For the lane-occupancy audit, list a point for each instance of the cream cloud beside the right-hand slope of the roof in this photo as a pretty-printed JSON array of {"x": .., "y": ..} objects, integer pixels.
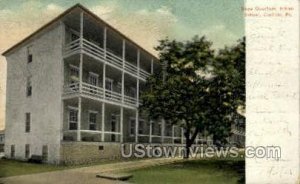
[{"x": 143, "y": 26}]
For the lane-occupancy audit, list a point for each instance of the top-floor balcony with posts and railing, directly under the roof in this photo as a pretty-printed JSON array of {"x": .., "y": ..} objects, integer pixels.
[{"x": 90, "y": 36}]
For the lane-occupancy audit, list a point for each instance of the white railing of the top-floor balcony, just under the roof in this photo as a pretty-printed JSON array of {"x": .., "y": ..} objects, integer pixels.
[{"x": 106, "y": 56}]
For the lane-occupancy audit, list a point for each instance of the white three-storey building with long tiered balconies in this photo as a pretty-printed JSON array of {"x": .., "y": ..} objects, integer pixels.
[{"x": 73, "y": 90}]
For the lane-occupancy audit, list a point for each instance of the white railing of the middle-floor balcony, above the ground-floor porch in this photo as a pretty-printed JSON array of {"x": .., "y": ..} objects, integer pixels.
[{"x": 98, "y": 92}]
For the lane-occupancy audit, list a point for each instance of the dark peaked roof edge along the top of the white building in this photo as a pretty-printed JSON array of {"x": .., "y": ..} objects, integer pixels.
[{"x": 84, "y": 9}]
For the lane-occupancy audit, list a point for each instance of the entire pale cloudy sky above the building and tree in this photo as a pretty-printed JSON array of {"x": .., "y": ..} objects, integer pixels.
[{"x": 144, "y": 21}]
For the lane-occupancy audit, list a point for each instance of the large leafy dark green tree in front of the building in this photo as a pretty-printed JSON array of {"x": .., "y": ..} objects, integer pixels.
[{"x": 193, "y": 89}]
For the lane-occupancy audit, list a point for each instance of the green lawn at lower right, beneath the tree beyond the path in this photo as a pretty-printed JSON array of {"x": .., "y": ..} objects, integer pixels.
[{"x": 215, "y": 171}]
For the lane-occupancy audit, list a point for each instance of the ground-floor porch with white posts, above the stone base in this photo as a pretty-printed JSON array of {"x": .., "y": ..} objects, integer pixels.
[{"x": 87, "y": 120}]
